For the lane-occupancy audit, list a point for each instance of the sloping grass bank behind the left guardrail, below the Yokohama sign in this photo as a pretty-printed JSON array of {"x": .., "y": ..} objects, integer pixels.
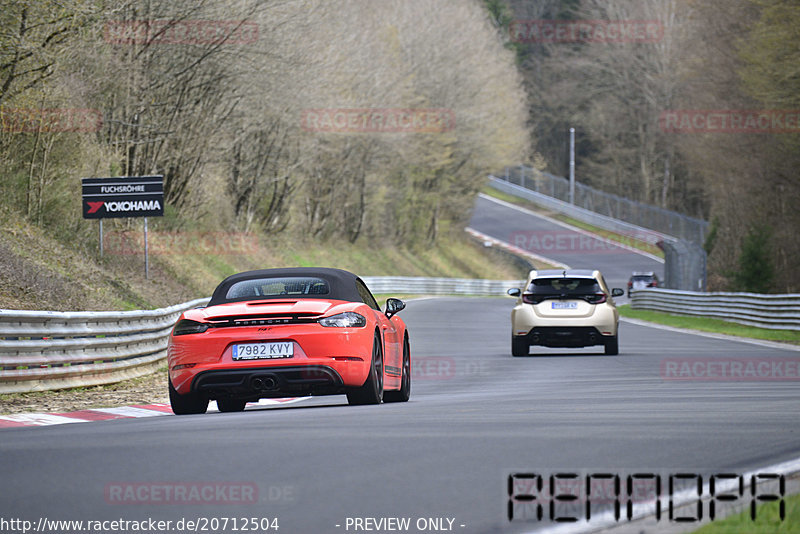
[{"x": 38, "y": 272}]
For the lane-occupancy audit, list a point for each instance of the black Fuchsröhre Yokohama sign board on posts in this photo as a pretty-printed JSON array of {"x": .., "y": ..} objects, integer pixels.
[{"x": 128, "y": 196}]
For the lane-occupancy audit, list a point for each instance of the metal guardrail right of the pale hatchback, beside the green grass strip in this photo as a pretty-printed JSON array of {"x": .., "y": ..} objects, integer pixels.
[{"x": 778, "y": 312}]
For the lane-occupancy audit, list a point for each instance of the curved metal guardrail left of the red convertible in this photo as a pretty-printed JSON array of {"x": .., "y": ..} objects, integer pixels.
[{"x": 44, "y": 350}]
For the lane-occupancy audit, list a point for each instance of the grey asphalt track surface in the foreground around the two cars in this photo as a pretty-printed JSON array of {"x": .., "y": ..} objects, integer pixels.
[{"x": 476, "y": 414}]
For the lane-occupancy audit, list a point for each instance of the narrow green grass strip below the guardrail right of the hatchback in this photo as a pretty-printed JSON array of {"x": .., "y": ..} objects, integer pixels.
[{"x": 706, "y": 324}]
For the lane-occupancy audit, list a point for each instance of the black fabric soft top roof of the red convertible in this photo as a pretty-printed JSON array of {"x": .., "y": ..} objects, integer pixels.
[{"x": 342, "y": 283}]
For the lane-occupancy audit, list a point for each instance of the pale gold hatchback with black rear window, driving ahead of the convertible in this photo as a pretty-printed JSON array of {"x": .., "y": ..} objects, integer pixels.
[{"x": 564, "y": 308}]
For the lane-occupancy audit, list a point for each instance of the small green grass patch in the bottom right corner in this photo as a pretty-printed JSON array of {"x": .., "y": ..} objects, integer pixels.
[{"x": 767, "y": 520}]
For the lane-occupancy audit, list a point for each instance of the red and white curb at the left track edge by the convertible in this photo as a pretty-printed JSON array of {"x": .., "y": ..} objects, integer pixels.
[{"x": 106, "y": 414}]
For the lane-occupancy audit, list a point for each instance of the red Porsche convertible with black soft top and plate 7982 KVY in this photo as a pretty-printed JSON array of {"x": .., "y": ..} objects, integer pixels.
[{"x": 288, "y": 333}]
